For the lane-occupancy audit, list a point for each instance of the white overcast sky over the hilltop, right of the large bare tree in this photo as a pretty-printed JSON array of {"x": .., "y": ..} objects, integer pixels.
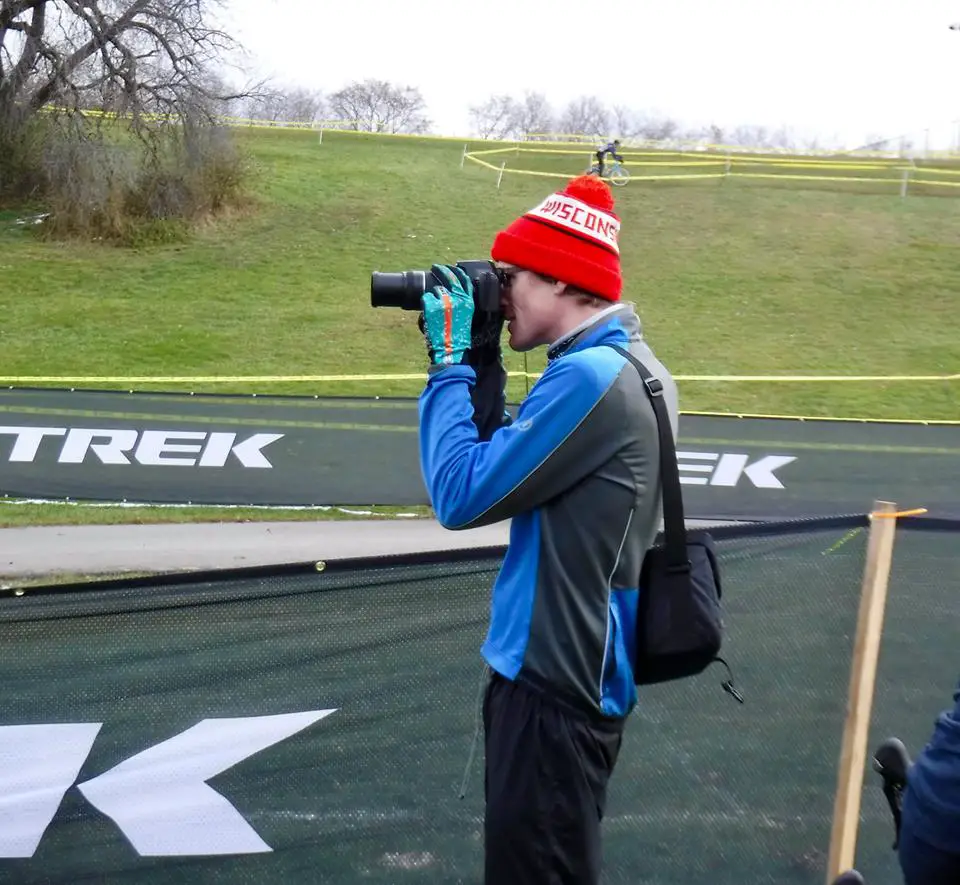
[{"x": 844, "y": 68}]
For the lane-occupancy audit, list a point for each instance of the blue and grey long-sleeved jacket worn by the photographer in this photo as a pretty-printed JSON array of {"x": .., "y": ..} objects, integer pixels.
[{"x": 578, "y": 472}]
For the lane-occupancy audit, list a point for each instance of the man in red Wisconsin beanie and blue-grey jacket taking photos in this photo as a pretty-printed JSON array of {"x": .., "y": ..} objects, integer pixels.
[{"x": 578, "y": 474}]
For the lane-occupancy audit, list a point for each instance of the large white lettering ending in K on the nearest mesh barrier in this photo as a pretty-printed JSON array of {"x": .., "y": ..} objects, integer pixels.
[{"x": 159, "y": 798}]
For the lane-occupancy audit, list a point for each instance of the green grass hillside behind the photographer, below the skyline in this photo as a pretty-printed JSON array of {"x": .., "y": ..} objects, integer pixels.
[{"x": 730, "y": 277}]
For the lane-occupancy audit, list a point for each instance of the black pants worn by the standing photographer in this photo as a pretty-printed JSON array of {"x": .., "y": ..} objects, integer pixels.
[{"x": 547, "y": 769}]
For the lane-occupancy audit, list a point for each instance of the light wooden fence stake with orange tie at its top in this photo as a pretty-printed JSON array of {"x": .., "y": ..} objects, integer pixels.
[{"x": 863, "y": 672}]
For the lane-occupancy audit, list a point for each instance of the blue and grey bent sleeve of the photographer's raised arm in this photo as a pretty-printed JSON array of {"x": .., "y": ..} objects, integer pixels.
[{"x": 551, "y": 446}]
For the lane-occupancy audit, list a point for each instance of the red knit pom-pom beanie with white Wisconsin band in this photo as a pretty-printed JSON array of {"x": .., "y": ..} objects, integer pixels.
[{"x": 571, "y": 236}]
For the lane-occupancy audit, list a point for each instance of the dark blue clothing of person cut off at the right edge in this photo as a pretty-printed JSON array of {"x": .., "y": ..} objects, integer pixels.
[{"x": 931, "y": 804}]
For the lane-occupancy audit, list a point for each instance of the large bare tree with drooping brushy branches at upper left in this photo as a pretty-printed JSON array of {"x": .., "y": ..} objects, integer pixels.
[{"x": 149, "y": 62}]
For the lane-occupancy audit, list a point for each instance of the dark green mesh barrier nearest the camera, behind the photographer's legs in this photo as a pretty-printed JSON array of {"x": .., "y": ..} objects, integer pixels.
[{"x": 312, "y": 722}]
